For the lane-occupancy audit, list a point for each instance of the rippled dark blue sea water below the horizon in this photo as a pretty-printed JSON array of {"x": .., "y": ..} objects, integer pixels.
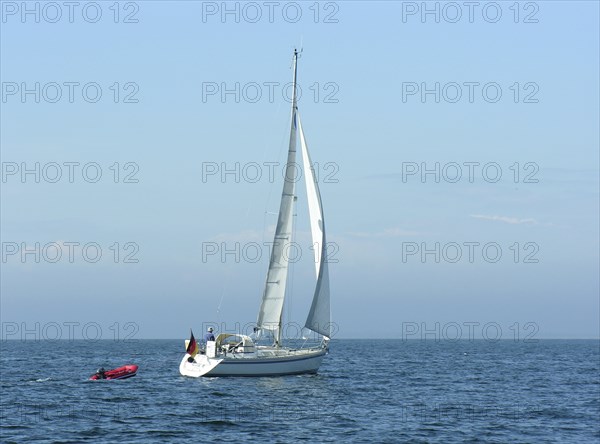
[{"x": 366, "y": 391}]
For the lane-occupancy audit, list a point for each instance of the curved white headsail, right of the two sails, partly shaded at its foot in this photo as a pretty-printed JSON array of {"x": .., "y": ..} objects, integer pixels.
[{"x": 319, "y": 316}]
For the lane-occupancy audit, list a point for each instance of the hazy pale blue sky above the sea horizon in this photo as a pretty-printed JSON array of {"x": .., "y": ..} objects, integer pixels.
[{"x": 360, "y": 125}]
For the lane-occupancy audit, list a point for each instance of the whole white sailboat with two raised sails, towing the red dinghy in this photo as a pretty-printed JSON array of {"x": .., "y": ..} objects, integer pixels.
[{"x": 243, "y": 355}]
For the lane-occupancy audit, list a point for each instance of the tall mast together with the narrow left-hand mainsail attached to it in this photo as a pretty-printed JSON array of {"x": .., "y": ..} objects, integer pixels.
[{"x": 271, "y": 309}]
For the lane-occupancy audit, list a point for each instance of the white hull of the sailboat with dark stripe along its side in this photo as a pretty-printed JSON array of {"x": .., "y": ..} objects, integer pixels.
[{"x": 259, "y": 364}]
